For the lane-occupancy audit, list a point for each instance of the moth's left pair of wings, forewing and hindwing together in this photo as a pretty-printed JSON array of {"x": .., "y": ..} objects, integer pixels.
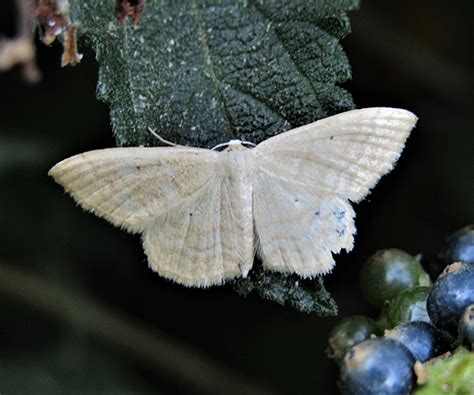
[{"x": 178, "y": 198}]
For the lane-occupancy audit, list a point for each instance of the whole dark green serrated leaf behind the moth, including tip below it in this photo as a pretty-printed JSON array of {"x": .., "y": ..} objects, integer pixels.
[{"x": 203, "y": 72}]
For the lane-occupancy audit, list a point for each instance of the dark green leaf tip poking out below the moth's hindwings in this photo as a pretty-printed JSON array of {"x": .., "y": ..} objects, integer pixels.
[{"x": 308, "y": 296}]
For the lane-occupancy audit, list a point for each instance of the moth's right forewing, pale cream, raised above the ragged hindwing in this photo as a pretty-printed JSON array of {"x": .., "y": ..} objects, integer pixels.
[{"x": 344, "y": 155}]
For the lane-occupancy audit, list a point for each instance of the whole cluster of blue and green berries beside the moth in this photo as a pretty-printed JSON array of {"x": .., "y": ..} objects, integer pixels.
[{"x": 422, "y": 327}]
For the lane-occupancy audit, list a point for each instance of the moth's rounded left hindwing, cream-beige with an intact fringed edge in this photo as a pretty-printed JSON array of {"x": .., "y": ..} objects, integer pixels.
[{"x": 203, "y": 241}]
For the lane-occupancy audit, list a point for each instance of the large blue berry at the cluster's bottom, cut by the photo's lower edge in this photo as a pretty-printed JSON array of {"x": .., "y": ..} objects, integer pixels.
[{"x": 377, "y": 366}]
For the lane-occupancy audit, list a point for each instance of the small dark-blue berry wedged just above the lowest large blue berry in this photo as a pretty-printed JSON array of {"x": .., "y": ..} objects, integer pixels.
[{"x": 422, "y": 339}]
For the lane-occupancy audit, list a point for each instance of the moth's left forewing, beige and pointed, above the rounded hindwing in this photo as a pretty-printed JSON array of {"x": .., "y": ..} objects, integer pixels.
[{"x": 131, "y": 187}]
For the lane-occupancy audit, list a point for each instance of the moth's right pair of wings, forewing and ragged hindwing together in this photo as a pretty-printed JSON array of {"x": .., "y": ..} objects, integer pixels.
[{"x": 305, "y": 178}]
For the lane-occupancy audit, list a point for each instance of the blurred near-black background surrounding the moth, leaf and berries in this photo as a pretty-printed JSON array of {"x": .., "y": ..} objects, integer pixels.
[{"x": 413, "y": 55}]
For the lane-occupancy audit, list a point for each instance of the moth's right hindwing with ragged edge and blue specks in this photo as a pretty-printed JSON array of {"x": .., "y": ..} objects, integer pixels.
[{"x": 298, "y": 226}]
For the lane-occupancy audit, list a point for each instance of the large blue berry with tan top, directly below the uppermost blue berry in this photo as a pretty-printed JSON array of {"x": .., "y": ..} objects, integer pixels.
[{"x": 451, "y": 293}]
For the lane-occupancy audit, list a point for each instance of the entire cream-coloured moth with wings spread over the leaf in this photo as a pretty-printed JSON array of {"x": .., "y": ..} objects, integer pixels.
[{"x": 203, "y": 214}]
